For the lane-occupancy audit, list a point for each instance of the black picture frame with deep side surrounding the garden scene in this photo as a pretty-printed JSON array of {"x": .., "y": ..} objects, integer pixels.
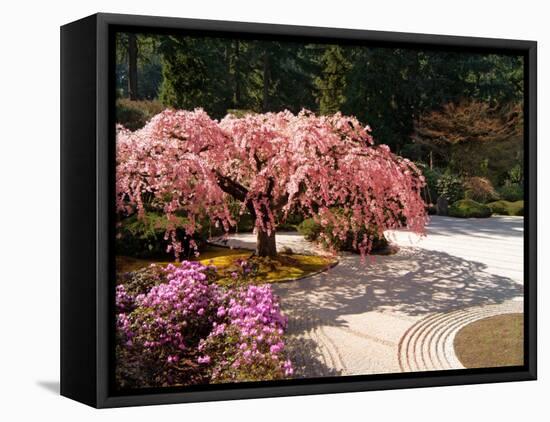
[{"x": 87, "y": 172}]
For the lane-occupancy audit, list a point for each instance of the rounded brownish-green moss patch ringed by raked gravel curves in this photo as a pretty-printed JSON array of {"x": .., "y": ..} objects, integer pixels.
[{"x": 491, "y": 342}]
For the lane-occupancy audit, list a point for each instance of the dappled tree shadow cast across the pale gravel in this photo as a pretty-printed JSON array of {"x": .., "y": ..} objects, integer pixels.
[{"x": 412, "y": 283}]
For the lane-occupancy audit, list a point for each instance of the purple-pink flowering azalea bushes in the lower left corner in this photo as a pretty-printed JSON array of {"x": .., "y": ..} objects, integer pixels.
[{"x": 189, "y": 330}]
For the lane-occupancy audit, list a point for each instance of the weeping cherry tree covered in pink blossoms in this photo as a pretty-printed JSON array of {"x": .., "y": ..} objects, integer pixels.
[{"x": 273, "y": 164}]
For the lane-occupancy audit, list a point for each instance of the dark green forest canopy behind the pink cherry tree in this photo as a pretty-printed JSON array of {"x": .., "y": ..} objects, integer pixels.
[{"x": 386, "y": 87}]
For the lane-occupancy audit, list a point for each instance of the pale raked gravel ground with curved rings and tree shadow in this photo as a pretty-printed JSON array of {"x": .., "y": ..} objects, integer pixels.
[{"x": 401, "y": 312}]
